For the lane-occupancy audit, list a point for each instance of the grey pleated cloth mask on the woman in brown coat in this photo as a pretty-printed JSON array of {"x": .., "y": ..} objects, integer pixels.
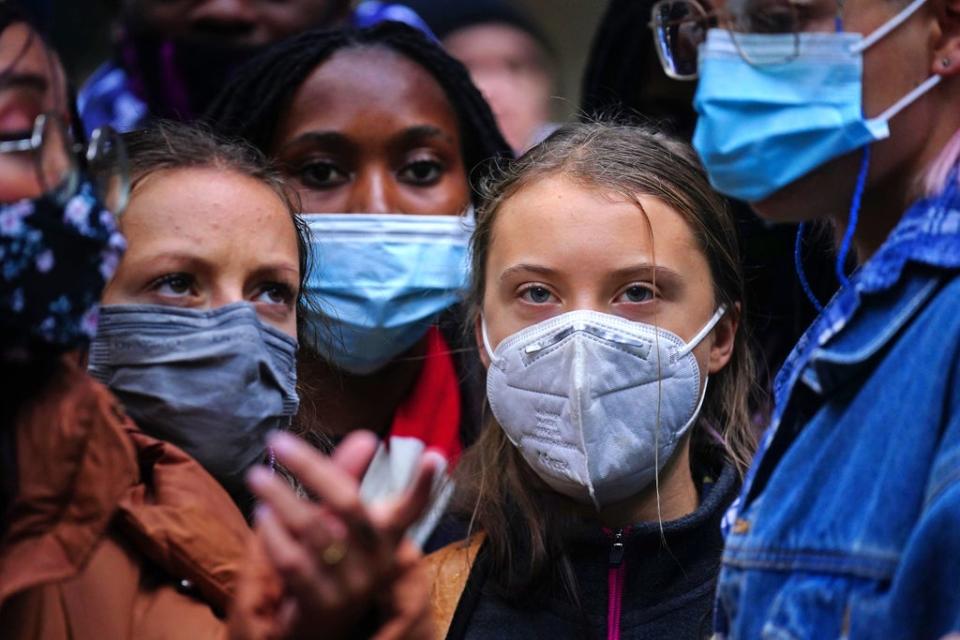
[{"x": 212, "y": 382}]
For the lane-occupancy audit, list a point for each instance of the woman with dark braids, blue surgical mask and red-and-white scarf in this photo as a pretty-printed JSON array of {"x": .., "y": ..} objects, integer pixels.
[{"x": 381, "y": 133}]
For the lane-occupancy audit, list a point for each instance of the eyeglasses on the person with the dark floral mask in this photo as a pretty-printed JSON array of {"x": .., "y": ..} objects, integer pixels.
[{"x": 58, "y": 158}]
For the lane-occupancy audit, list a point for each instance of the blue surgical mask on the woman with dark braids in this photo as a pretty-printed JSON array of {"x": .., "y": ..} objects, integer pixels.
[{"x": 380, "y": 281}]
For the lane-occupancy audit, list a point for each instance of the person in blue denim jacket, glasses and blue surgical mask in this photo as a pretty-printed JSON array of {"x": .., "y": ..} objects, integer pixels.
[{"x": 845, "y": 112}]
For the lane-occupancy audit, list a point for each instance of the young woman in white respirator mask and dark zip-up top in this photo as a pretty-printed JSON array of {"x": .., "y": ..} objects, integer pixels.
[{"x": 607, "y": 300}]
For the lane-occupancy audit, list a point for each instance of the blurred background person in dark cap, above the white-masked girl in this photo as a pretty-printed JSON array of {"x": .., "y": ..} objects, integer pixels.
[{"x": 509, "y": 58}]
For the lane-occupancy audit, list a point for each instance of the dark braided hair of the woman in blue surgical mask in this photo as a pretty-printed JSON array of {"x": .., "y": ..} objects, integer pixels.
[{"x": 252, "y": 104}]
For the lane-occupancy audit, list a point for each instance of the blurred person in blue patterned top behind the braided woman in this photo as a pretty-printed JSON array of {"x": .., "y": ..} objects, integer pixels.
[{"x": 172, "y": 58}]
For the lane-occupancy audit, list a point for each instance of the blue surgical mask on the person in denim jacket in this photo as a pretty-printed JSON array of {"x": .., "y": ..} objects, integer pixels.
[{"x": 762, "y": 127}]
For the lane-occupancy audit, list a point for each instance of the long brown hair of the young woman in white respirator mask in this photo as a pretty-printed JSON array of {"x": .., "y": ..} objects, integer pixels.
[{"x": 523, "y": 521}]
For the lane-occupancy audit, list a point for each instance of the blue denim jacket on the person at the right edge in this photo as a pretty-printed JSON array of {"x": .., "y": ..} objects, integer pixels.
[{"x": 849, "y": 521}]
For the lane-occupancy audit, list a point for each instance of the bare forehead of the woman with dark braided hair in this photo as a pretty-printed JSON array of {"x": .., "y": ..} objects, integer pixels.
[{"x": 368, "y": 86}]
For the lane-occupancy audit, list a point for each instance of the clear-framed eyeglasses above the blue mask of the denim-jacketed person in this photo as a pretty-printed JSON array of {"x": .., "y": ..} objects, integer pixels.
[{"x": 680, "y": 27}]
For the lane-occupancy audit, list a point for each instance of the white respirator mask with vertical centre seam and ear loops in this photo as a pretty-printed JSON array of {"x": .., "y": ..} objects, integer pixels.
[{"x": 592, "y": 407}]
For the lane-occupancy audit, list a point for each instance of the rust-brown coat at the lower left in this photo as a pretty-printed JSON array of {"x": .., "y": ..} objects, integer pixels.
[{"x": 113, "y": 534}]
